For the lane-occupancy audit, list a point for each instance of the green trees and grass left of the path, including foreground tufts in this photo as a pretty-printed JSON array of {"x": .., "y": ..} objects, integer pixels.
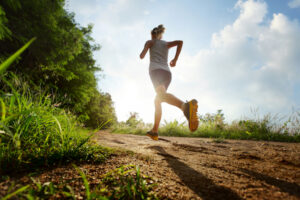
[{"x": 50, "y": 105}]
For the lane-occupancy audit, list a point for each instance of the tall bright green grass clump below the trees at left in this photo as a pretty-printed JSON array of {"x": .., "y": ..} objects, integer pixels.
[{"x": 35, "y": 133}]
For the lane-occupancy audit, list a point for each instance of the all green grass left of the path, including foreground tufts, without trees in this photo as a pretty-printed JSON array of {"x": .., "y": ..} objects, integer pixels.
[{"x": 35, "y": 133}]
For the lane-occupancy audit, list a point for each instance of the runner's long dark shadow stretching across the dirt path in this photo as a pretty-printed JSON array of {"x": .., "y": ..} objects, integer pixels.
[{"x": 200, "y": 184}]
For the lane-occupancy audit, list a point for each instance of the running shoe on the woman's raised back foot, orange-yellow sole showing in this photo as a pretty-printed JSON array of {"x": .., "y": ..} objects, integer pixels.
[{"x": 190, "y": 112}]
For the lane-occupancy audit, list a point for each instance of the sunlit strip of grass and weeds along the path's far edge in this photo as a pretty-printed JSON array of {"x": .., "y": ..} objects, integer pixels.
[{"x": 268, "y": 128}]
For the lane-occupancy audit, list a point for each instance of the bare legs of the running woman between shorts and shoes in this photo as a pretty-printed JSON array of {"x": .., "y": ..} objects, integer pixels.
[{"x": 163, "y": 96}]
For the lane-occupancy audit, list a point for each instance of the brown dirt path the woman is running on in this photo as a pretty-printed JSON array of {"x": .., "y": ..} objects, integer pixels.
[{"x": 197, "y": 168}]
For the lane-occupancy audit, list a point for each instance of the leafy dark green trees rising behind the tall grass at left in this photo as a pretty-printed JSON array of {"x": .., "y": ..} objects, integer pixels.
[{"x": 60, "y": 61}]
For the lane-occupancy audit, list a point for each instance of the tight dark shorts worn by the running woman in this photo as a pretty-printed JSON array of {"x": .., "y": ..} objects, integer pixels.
[{"x": 160, "y": 77}]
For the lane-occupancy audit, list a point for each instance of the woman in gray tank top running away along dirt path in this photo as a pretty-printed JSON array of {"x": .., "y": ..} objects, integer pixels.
[{"x": 161, "y": 76}]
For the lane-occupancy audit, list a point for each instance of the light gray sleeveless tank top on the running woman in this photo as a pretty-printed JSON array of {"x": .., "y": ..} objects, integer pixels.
[{"x": 159, "y": 56}]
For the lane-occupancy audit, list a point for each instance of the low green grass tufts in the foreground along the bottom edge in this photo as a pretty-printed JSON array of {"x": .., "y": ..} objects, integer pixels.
[{"x": 125, "y": 182}]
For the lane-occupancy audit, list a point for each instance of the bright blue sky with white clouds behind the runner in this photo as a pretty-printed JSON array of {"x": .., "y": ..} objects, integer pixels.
[{"x": 238, "y": 55}]
